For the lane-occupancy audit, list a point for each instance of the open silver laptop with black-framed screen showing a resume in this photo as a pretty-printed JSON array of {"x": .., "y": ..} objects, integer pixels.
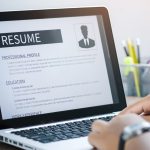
[{"x": 59, "y": 73}]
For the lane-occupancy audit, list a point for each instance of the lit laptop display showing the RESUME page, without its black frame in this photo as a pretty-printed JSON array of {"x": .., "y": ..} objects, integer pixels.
[{"x": 53, "y": 65}]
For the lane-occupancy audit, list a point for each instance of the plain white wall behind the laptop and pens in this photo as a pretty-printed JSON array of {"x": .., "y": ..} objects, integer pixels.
[{"x": 129, "y": 18}]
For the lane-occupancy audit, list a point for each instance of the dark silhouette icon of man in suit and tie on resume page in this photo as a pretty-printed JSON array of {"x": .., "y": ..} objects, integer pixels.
[{"x": 86, "y": 42}]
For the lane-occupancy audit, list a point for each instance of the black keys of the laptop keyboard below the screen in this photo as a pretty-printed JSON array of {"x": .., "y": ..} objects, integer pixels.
[{"x": 59, "y": 132}]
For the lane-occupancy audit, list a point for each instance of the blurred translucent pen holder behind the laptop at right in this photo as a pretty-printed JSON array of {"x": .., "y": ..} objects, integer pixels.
[{"x": 136, "y": 79}]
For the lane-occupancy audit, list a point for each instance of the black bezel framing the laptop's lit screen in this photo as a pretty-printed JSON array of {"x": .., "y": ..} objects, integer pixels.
[{"x": 79, "y": 113}]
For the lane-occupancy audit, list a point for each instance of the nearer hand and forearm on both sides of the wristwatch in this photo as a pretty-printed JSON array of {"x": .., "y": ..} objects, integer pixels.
[{"x": 105, "y": 136}]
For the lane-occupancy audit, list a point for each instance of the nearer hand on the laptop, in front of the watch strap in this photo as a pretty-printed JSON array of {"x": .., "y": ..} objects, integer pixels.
[{"x": 105, "y": 135}]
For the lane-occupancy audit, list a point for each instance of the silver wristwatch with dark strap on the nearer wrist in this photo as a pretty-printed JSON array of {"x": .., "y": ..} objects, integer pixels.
[{"x": 132, "y": 131}]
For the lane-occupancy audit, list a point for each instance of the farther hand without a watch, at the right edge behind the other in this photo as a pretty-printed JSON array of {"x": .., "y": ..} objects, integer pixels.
[{"x": 141, "y": 107}]
